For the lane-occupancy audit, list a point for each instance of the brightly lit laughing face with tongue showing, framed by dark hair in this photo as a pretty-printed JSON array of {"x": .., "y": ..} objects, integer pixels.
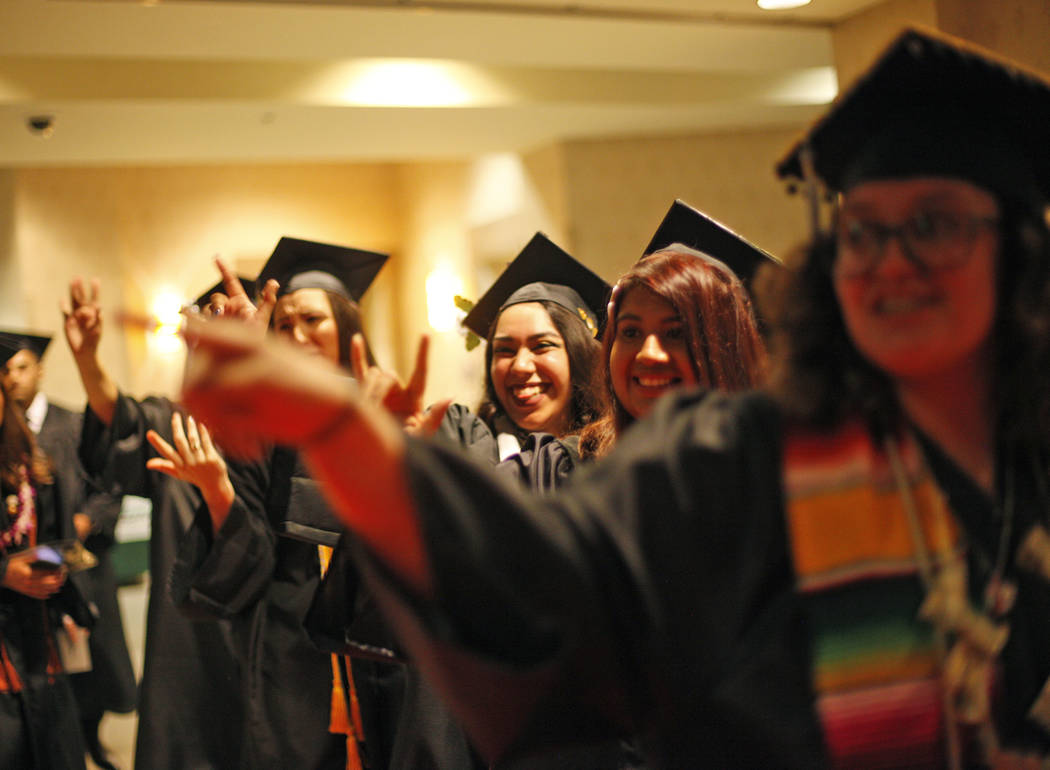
[{"x": 531, "y": 369}]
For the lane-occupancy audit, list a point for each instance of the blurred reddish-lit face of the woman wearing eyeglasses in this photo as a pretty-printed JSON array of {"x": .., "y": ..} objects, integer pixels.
[{"x": 909, "y": 320}]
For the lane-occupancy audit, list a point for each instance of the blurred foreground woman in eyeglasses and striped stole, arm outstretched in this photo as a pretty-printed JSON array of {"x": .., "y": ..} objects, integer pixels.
[{"x": 856, "y": 571}]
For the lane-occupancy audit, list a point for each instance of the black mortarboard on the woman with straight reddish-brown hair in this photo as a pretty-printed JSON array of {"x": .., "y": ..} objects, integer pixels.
[{"x": 690, "y": 227}]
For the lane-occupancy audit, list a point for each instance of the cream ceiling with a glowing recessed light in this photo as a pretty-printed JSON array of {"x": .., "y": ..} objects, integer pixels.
[{"x": 198, "y": 81}]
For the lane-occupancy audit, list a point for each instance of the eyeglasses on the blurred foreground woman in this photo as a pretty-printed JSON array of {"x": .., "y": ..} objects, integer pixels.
[{"x": 932, "y": 240}]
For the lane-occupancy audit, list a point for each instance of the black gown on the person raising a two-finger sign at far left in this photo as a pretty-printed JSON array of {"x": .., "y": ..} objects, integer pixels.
[{"x": 190, "y": 700}]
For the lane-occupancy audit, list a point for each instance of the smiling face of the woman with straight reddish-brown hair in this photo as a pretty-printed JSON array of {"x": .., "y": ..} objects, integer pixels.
[{"x": 649, "y": 355}]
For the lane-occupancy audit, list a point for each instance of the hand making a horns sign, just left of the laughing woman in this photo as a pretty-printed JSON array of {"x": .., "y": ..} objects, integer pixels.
[{"x": 404, "y": 402}]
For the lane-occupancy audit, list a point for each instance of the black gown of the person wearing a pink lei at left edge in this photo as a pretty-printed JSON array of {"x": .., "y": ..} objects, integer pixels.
[{"x": 39, "y": 726}]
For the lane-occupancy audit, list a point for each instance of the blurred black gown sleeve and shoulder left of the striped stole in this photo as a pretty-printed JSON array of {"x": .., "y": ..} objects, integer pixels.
[{"x": 657, "y": 599}]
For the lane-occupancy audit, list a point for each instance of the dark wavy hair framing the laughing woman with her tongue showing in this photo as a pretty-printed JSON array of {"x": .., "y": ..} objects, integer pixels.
[{"x": 587, "y": 402}]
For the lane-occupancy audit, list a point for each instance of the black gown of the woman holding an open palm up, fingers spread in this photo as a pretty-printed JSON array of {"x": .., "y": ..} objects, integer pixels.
[{"x": 264, "y": 584}]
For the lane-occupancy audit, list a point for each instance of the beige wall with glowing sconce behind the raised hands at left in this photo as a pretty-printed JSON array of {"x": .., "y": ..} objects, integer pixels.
[{"x": 142, "y": 231}]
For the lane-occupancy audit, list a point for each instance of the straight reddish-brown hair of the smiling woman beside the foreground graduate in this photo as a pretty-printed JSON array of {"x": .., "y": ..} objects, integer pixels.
[{"x": 726, "y": 349}]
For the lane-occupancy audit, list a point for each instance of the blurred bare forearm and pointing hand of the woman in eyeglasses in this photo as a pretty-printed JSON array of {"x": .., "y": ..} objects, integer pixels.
[{"x": 254, "y": 390}]
